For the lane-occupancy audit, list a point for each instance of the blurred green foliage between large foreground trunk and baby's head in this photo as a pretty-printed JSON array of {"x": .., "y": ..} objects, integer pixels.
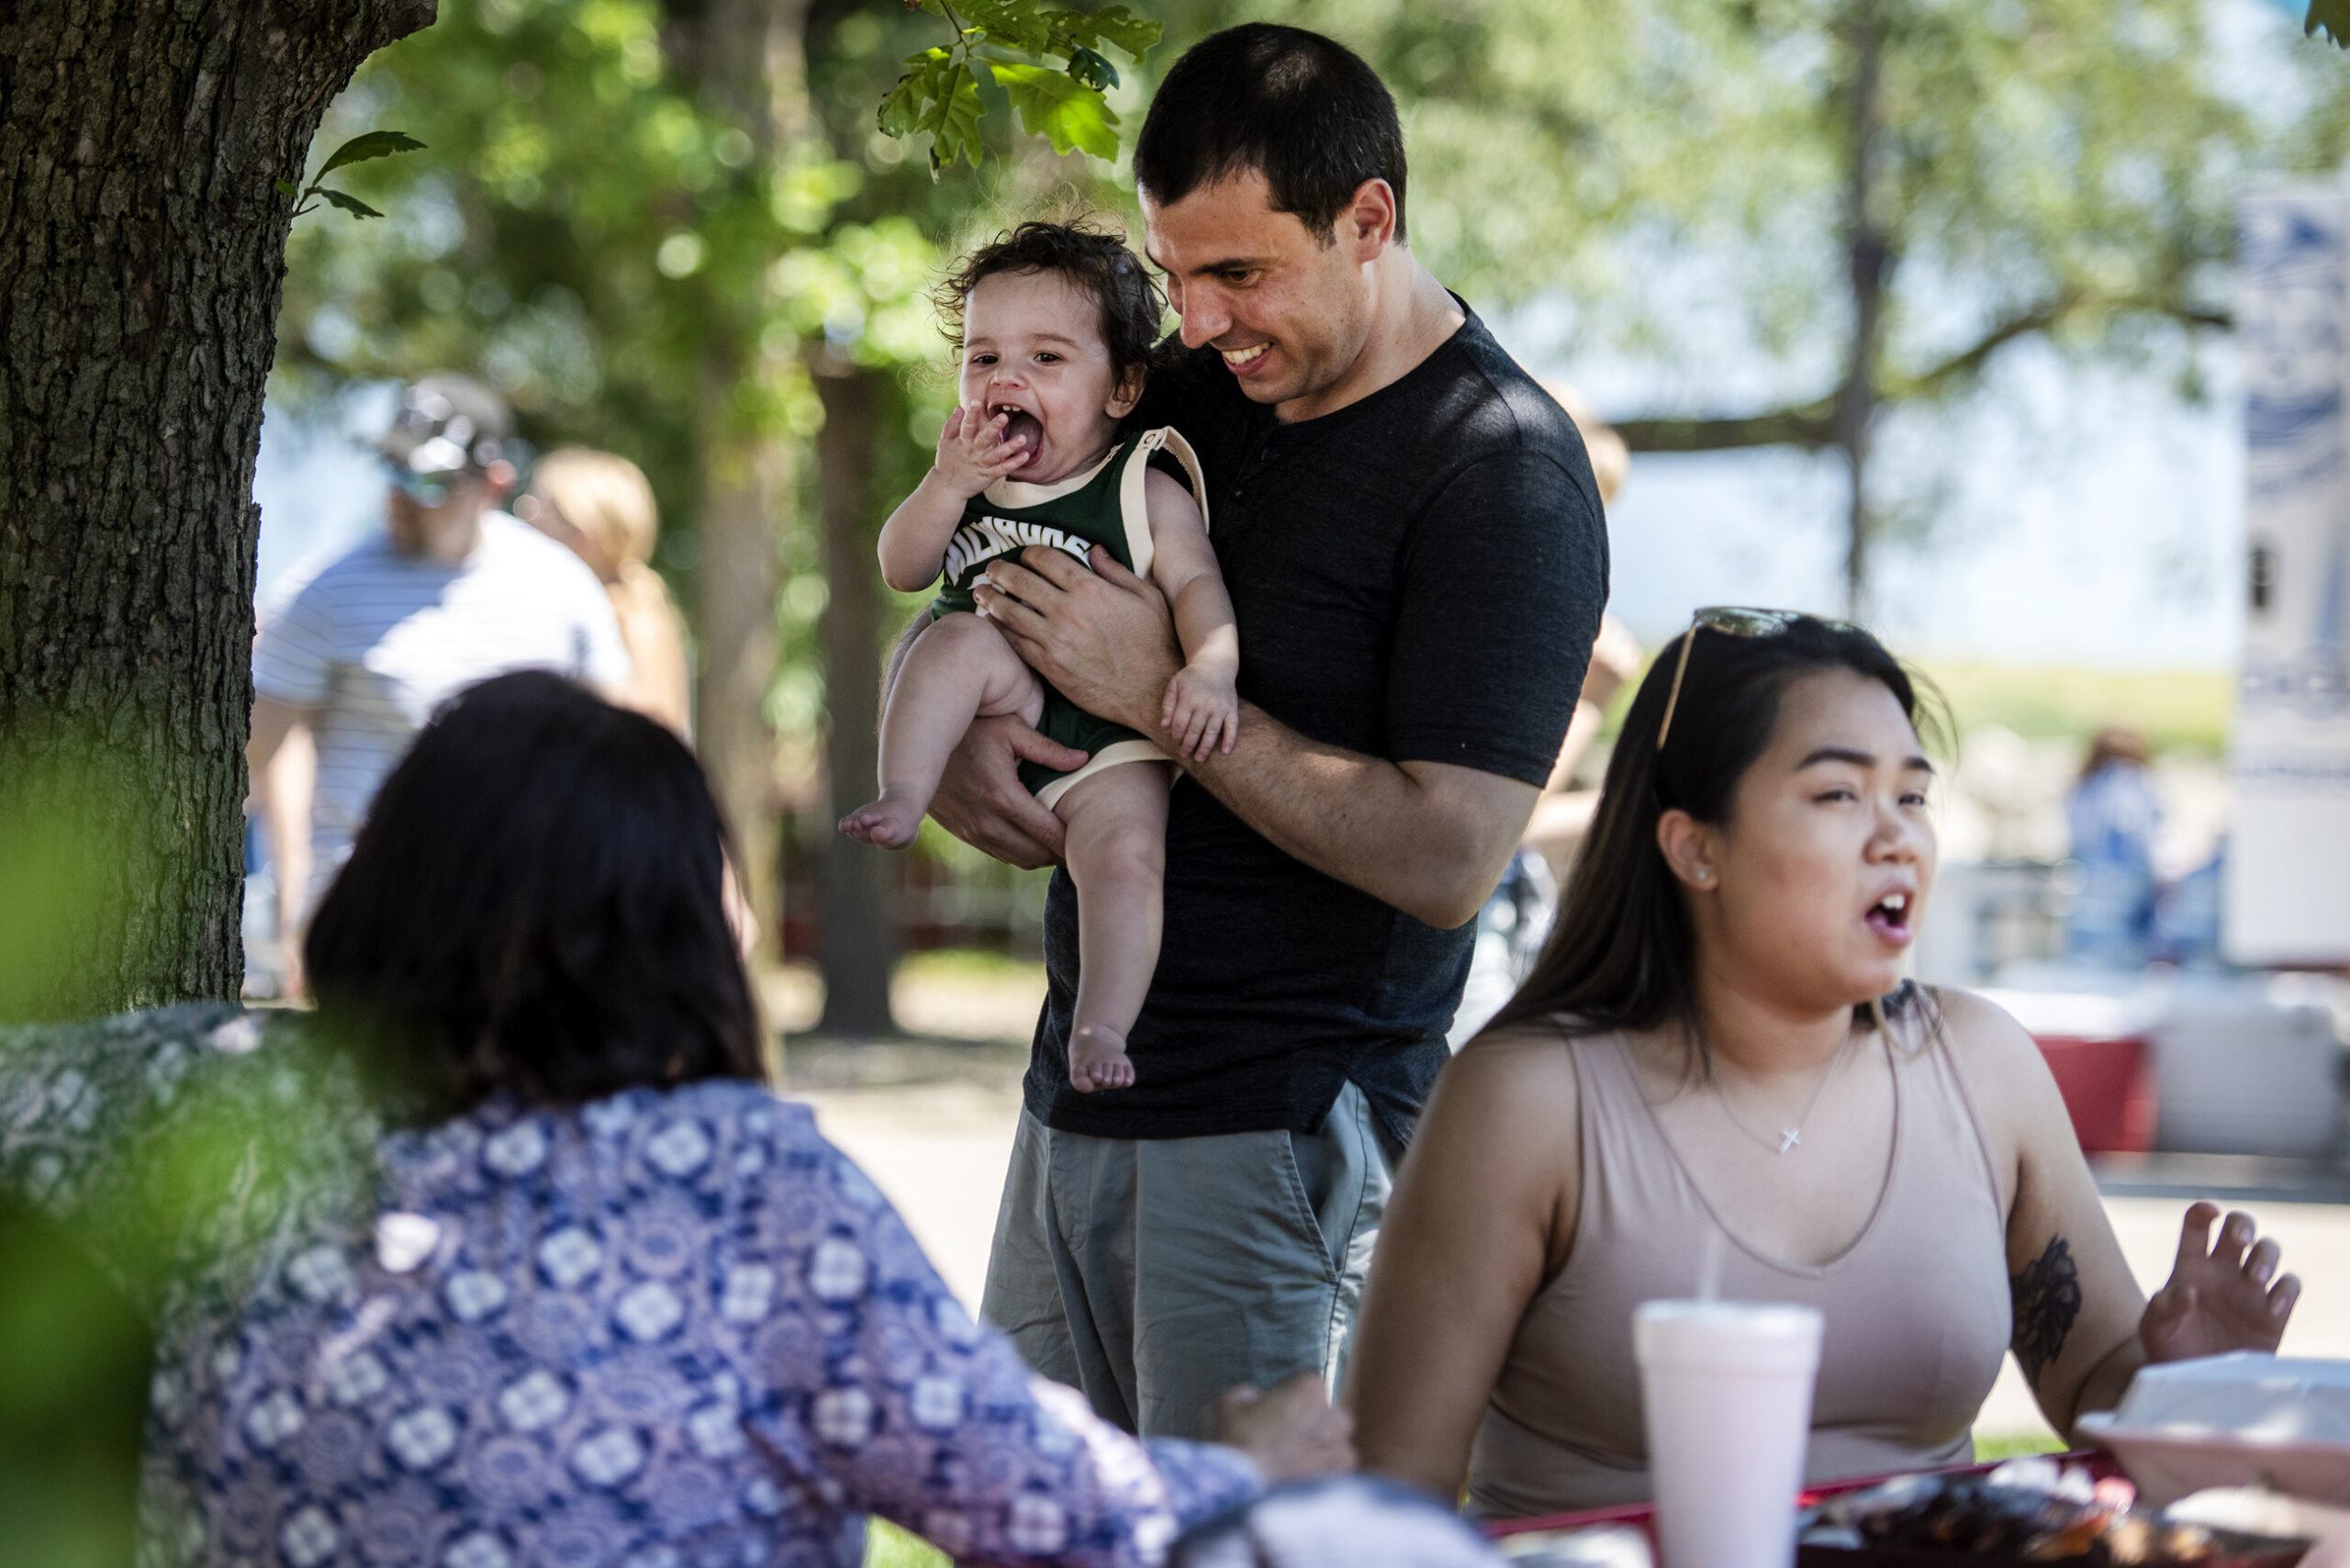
[{"x": 598, "y": 236}]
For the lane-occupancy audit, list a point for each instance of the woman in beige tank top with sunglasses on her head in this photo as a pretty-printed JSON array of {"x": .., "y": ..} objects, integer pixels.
[{"x": 1719, "y": 1040}]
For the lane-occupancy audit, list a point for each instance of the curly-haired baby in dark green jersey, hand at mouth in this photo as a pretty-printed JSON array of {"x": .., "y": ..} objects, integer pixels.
[{"x": 1056, "y": 328}]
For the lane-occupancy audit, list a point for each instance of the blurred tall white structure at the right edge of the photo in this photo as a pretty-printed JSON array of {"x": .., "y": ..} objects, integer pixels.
[{"x": 2288, "y": 887}]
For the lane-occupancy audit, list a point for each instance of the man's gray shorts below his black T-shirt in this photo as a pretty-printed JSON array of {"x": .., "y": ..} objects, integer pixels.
[{"x": 1157, "y": 1273}]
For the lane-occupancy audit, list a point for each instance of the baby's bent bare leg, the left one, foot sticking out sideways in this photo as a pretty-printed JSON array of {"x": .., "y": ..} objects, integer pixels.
[{"x": 958, "y": 671}]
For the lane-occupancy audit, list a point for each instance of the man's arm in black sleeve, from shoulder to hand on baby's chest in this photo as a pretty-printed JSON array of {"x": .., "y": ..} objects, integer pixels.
[{"x": 1503, "y": 577}]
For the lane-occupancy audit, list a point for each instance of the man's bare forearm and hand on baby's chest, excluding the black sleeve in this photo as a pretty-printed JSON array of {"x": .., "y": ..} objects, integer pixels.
[{"x": 1425, "y": 838}]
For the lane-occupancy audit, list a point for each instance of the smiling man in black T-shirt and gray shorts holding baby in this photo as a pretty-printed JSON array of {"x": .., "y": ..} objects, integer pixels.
[{"x": 1418, "y": 563}]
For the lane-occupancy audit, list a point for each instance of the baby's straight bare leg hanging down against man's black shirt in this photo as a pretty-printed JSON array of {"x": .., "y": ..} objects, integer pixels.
[{"x": 1117, "y": 855}]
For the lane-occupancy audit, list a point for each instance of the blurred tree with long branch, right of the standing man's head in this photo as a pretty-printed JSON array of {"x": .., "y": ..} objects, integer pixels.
[{"x": 1815, "y": 220}]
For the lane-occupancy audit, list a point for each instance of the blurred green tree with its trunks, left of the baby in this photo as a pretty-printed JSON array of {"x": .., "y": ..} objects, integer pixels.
[{"x": 678, "y": 232}]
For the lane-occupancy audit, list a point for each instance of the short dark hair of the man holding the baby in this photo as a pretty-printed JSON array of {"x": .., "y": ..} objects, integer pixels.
[{"x": 1296, "y": 107}]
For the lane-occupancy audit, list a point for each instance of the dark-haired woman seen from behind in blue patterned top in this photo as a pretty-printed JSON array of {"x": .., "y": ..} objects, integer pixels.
[{"x": 506, "y": 1257}]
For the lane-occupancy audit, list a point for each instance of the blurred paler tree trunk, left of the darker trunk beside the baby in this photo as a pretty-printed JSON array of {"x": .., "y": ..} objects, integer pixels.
[{"x": 748, "y": 58}]
